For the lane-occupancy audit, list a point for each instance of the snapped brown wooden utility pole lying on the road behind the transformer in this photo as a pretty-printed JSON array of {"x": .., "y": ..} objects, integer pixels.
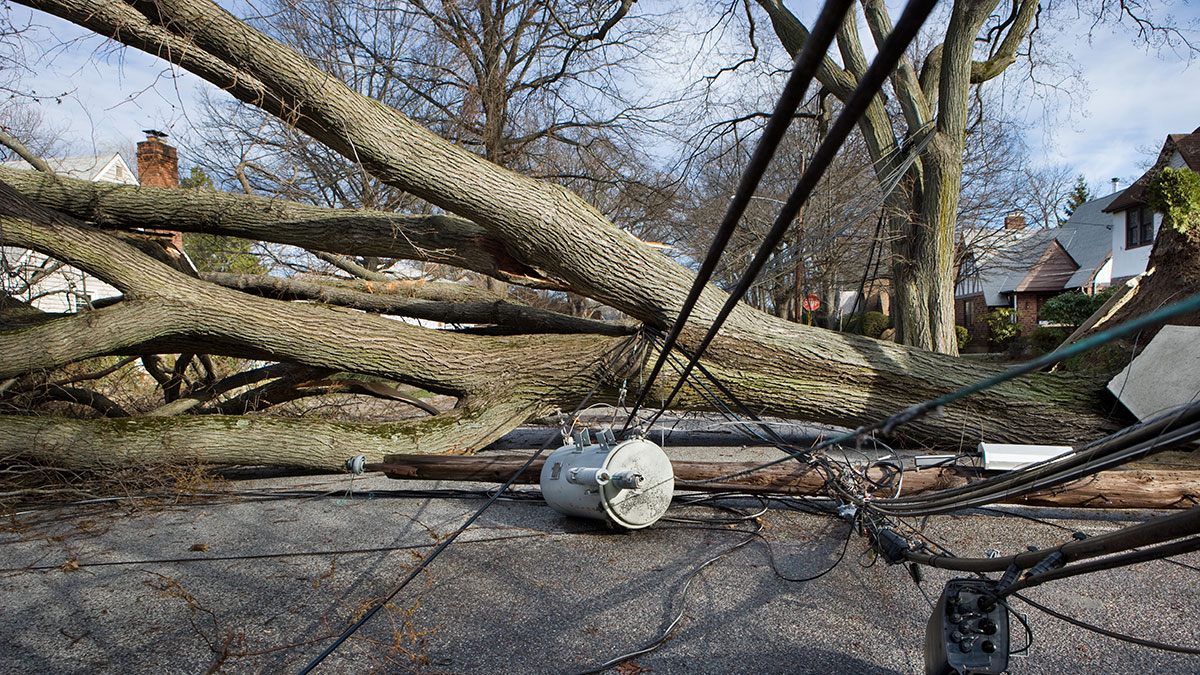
[{"x": 1108, "y": 489}]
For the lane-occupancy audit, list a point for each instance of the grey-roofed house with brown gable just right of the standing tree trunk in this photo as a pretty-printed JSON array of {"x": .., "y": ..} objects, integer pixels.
[{"x": 1022, "y": 268}]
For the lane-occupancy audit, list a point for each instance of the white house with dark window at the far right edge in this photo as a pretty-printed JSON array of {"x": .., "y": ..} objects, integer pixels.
[{"x": 1135, "y": 225}]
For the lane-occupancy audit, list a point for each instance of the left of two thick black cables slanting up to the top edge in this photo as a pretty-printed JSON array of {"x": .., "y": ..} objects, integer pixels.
[{"x": 805, "y": 69}]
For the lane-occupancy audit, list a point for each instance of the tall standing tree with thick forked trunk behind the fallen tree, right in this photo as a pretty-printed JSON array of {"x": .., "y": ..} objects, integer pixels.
[{"x": 981, "y": 40}]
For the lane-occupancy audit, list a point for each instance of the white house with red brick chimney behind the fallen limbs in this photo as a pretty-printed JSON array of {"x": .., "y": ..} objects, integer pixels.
[{"x": 52, "y": 286}]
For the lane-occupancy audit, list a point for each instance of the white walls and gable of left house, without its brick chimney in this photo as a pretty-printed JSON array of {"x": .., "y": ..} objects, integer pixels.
[{"x": 44, "y": 283}]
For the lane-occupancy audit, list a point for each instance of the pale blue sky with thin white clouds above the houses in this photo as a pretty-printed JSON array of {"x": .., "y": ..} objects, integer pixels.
[{"x": 1130, "y": 99}]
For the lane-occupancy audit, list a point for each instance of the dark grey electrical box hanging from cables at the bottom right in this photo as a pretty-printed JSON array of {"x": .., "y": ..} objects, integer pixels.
[{"x": 968, "y": 632}]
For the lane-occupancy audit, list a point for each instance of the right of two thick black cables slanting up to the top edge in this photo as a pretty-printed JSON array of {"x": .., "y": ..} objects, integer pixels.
[{"x": 871, "y": 85}]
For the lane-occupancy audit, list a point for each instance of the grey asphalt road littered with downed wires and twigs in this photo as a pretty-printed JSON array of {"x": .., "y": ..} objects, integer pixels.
[{"x": 262, "y": 581}]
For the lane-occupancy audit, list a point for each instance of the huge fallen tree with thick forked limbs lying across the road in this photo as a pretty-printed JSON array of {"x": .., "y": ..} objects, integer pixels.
[{"x": 525, "y": 232}]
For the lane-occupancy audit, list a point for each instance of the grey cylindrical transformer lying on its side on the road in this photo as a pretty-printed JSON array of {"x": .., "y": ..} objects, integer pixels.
[{"x": 628, "y": 485}]
